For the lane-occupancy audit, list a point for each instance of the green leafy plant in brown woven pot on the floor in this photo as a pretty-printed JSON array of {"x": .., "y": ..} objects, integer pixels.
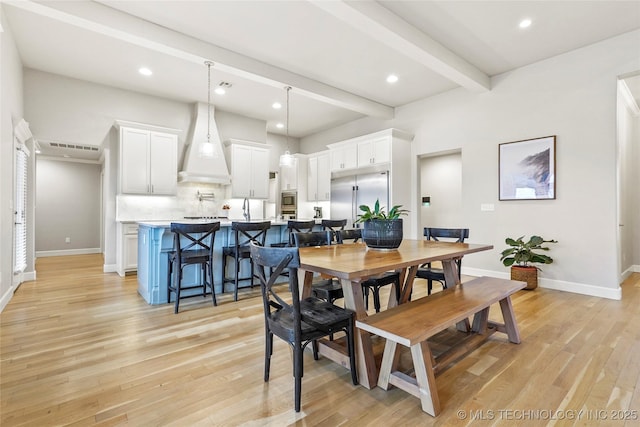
[{"x": 520, "y": 255}]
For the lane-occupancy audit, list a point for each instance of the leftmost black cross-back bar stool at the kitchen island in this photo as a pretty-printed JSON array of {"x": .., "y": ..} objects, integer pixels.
[{"x": 192, "y": 245}]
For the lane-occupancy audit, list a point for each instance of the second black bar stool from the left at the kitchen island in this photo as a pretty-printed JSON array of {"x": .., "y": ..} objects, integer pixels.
[{"x": 244, "y": 234}]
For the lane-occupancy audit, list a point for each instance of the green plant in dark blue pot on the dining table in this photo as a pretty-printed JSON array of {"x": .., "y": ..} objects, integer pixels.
[{"x": 381, "y": 230}]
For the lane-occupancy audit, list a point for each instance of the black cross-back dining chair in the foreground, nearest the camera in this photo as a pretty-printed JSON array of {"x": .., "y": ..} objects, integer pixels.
[{"x": 298, "y": 322}]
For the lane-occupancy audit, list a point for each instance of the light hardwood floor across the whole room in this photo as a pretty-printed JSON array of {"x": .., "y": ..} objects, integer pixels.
[{"x": 79, "y": 347}]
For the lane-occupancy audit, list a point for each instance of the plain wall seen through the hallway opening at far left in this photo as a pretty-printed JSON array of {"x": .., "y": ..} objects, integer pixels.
[{"x": 67, "y": 205}]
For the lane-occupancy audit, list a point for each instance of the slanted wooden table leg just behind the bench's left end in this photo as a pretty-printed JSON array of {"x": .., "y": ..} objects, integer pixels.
[{"x": 365, "y": 362}]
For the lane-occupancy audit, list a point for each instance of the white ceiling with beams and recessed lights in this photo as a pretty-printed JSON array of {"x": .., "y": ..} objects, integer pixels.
[{"x": 336, "y": 55}]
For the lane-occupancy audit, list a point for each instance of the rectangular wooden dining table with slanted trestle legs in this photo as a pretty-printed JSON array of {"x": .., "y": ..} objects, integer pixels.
[{"x": 354, "y": 263}]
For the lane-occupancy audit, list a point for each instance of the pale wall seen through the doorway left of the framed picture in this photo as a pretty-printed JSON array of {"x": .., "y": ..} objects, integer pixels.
[{"x": 441, "y": 179}]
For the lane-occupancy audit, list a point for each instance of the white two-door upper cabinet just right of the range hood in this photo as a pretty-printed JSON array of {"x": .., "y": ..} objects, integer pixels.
[{"x": 249, "y": 169}]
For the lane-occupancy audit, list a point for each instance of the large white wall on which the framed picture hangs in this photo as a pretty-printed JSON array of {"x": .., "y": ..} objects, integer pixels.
[{"x": 572, "y": 96}]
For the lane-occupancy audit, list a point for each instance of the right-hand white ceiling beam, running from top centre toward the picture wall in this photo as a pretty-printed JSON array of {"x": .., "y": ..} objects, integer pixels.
[{"x": 380, "y": 23}]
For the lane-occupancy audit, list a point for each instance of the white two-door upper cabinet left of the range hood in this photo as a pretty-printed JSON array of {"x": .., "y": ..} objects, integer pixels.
[{"x": 148, "y": 159}]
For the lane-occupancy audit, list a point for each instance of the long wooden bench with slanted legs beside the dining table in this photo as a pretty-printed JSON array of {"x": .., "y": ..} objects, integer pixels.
[{"x": 412, "y": 323}]
